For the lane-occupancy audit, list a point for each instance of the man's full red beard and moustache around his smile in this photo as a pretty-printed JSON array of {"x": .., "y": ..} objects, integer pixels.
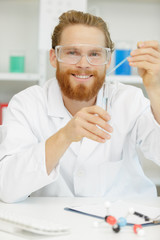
[{"x": 80, "y": 92}]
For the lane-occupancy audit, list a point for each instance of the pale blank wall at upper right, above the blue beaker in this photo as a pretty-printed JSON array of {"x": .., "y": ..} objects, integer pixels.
[{"x": 137, "y": 20}]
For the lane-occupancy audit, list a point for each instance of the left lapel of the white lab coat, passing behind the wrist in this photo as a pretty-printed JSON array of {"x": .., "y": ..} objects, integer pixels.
[{"x": 57, "y": 110}]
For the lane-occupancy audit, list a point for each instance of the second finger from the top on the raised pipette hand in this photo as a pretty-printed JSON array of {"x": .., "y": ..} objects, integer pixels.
[{"x": 144, "y": 51}]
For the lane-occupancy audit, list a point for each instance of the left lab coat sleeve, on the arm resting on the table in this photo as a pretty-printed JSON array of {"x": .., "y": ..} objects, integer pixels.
[{"x": 22, "y": 157}]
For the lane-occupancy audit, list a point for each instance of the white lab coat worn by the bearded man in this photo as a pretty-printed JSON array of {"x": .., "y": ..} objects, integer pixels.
[{"x": 87, "y": 168}]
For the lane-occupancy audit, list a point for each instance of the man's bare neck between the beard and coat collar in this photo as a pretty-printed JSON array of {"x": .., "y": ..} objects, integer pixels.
[{"x": 73, "y": 106}]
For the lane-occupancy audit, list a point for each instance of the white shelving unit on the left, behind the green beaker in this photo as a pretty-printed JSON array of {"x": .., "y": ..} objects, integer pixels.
[{"x": 19, "y": 31}]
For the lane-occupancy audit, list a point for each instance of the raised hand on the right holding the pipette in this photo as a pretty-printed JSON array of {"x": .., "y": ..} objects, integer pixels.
[{"x": 147, "y": 59}]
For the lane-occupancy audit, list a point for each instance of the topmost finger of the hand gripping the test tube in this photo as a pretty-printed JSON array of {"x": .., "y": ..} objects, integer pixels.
[{"x": 97, "y": 110}]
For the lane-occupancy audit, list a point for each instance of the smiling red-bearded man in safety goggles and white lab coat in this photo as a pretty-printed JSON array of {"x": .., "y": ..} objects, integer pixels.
[{"x": 58, "y": 140}]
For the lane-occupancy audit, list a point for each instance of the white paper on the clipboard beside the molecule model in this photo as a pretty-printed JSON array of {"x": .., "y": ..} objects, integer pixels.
[{"x": 120, "y": 209}]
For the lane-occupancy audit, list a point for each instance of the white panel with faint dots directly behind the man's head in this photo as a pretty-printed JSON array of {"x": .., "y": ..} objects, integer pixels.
[{"x": 50, "y": 10}]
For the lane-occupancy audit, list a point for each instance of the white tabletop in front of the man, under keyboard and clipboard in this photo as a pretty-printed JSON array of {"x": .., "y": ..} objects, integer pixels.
[{"x": 81, "y": 225}]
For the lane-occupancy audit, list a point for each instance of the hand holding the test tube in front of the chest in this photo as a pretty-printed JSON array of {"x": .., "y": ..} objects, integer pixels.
[{"x": 86, "y": 123}]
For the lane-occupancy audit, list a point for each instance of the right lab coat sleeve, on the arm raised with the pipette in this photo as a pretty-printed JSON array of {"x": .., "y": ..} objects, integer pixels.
[{"x": 147, "y": 133}]
